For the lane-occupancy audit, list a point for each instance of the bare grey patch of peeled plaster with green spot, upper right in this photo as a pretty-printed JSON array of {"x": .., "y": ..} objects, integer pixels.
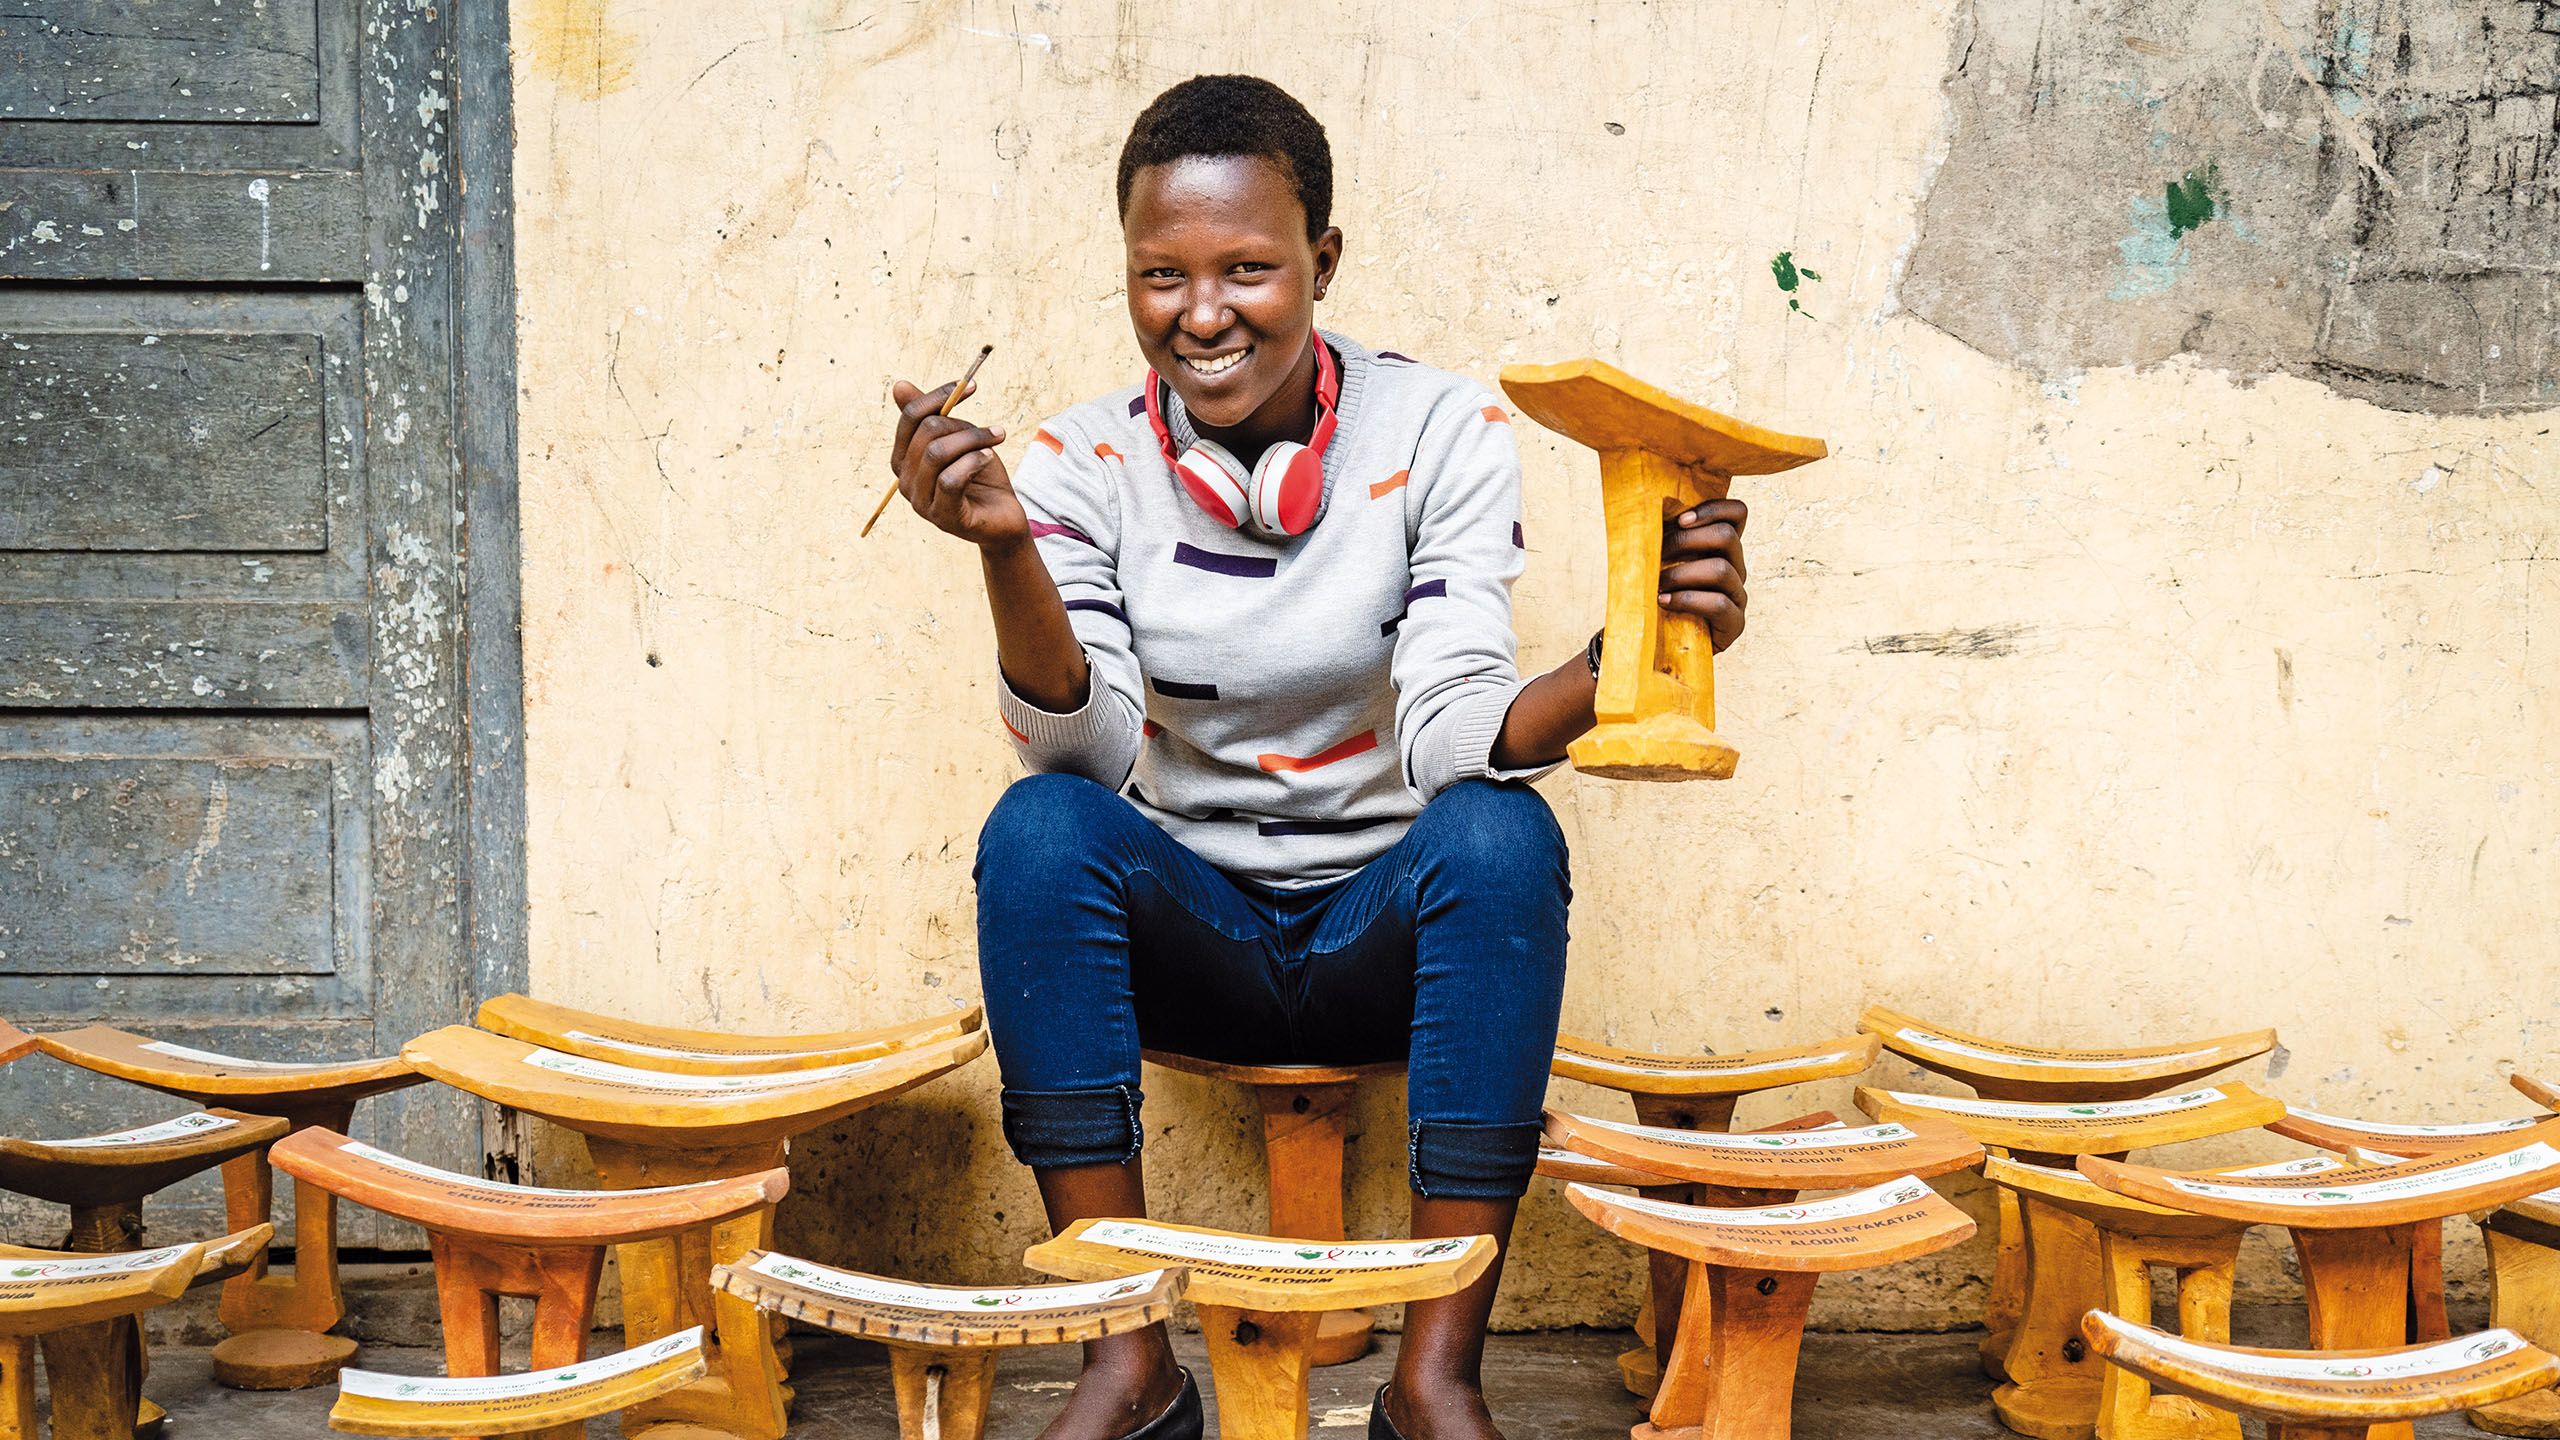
[{"x": 2354, "y": 191}]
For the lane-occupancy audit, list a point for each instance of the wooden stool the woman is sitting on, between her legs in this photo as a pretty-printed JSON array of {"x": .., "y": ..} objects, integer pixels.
[{"x": 1307, "y": 1113}]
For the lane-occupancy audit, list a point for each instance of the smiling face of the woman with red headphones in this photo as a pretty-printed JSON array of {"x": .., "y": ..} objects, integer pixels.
[{"x": 1222, "y": 293}]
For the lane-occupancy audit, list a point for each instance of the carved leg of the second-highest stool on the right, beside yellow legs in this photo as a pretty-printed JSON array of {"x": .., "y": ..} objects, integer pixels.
[{"x": 2054, "y": 1380}]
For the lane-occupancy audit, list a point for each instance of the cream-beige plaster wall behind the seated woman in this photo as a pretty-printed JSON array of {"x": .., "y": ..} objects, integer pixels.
[{"x": 2095, "y": 708}]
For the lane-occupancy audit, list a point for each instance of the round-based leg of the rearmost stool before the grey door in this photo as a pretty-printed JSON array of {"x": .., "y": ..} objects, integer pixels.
[{"x": 280, "y": 1326}]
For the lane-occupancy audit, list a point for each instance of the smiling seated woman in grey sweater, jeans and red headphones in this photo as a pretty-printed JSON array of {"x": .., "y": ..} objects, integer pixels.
[{"x": 1253, "y": 621}]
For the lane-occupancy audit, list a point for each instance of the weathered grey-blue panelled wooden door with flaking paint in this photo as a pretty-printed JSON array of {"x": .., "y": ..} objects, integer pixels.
[{"x": 234, "y": 765}]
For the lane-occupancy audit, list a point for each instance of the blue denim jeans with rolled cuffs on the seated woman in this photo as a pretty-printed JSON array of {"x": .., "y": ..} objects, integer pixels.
[{"x": 1102, "y": 934}]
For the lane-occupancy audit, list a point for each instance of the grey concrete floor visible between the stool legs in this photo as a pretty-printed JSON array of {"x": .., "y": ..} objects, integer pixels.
[{"x": 1553, "y": 1385}]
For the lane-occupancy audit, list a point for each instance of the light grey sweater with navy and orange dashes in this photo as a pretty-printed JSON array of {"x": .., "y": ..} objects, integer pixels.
[{"x": 1286, "y": 708}]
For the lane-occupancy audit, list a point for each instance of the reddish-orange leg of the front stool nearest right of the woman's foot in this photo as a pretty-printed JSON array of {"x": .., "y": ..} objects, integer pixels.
[{"x": 1732, "y": 1372}]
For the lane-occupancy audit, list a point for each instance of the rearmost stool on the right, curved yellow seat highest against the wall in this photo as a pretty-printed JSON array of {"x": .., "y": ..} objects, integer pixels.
[{"x": 2001, "y": 1070}]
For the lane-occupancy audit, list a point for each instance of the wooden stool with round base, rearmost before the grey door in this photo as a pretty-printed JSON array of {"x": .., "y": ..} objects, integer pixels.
[{"x": 278, "y": 1326}]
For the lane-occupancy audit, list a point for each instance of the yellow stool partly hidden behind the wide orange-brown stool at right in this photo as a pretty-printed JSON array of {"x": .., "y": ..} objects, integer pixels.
[{"x": 2134, "y": 1239}]
